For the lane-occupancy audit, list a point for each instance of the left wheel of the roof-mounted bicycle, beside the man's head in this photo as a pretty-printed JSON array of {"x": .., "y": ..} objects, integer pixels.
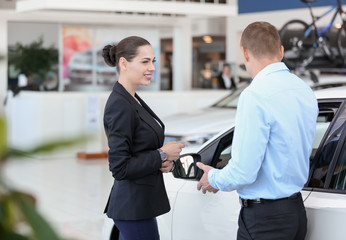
[{"x": 299, "y": 45}]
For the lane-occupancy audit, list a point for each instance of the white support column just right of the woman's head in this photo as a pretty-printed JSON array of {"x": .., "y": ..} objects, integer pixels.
[{"x": 182, "y": 56}]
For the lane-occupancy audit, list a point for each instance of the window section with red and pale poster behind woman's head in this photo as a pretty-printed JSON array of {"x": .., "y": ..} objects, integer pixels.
[{"x": 83, "y": 67}]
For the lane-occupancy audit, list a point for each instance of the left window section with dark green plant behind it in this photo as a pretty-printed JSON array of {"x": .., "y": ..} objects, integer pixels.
[{"x": 33, "y": 56}]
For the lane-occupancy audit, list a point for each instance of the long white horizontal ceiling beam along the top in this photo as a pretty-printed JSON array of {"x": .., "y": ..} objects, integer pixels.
[{"x": 163, "y": 8}]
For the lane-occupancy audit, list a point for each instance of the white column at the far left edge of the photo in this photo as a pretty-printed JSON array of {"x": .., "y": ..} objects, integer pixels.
[{"x": 3, "y": 54}]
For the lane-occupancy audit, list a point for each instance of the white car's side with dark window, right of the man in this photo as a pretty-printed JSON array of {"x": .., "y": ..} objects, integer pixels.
[{"x": 326, "y": 205}]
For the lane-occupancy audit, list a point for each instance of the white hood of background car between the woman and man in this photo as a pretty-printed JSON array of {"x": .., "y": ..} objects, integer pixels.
[{"x": 205, "y": 121}]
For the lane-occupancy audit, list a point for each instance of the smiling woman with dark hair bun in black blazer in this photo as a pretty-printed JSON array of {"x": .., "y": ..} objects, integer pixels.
[{"x": 135, "y": 135}]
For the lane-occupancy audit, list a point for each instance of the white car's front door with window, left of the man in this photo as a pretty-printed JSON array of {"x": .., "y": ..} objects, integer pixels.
[{"x": 209, "y": 216}]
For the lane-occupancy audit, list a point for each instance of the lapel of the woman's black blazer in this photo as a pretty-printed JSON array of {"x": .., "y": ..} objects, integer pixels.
[{"x": 144, "y": 112}]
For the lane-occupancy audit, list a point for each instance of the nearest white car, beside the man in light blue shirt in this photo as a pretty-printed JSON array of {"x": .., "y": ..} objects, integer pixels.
[{"x": 215, "y": 216}]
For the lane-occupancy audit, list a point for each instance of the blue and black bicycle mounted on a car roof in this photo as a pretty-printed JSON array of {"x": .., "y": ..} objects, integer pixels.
[{"x": 304, "y": 42}]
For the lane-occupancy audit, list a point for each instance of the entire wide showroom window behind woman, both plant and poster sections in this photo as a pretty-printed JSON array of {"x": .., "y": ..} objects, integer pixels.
[{"x": 52, "y": 57}]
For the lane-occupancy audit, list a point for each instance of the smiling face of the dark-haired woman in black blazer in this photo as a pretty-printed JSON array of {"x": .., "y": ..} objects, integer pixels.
[{"x": 140, "y": 70}]
